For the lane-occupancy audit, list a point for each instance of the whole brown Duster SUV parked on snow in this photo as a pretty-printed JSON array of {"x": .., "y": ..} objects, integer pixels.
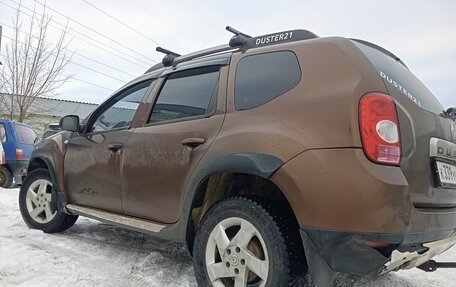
[{"x": 270, "y": 157}]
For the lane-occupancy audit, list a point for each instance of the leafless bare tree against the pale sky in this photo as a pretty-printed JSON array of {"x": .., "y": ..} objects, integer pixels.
[{"x": 33, "y": 65}]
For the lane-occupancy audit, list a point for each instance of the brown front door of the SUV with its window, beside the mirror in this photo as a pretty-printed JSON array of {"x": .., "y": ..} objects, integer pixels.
[{"x": 92, "y": 159}]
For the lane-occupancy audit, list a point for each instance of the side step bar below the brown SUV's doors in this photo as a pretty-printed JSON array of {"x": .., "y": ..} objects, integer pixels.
[{"x": 110, "y": 217}]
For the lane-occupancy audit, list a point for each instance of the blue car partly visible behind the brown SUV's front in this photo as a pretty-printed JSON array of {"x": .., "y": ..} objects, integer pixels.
[{"x": 18, "y": 140}]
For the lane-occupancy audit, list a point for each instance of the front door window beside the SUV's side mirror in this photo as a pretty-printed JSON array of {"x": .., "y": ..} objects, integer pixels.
[{"x": 122, "y": 111}]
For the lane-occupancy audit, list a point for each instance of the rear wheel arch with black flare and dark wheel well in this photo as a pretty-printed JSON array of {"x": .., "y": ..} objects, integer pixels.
[{"x": 227, "y": 175}]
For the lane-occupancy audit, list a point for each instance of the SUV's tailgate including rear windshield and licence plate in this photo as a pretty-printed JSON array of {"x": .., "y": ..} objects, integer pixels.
[{"x": 428, "y": 136}]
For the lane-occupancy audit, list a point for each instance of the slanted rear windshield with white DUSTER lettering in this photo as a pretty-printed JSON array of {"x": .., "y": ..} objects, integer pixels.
[{"x": 400, "y": 78}]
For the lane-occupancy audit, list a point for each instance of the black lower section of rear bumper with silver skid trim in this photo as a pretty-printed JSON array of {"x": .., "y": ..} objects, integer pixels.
[{"x": 353, "y": 253}]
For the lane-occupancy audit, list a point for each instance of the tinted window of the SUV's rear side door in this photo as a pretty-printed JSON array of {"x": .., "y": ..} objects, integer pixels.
[{"x": 187, "y": 94}]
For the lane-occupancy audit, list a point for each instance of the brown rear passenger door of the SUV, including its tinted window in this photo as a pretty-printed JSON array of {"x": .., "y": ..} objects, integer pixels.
[{"x": 159, "y": 158}]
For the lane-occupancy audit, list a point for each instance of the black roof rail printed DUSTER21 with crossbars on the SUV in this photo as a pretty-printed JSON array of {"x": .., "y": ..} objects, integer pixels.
[{"x": 239, "y": 41}]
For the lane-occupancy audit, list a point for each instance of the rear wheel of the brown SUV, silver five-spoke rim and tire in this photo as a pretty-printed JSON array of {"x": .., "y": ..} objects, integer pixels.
[{"x": 247, "y": 240}]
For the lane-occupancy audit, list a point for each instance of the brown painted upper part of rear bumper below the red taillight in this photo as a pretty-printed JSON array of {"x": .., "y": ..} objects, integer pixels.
[{"x": 339, "y": 189}]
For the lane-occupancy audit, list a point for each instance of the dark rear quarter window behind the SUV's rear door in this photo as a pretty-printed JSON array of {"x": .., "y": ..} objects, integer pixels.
[{"x": 261, "y": 78}]
